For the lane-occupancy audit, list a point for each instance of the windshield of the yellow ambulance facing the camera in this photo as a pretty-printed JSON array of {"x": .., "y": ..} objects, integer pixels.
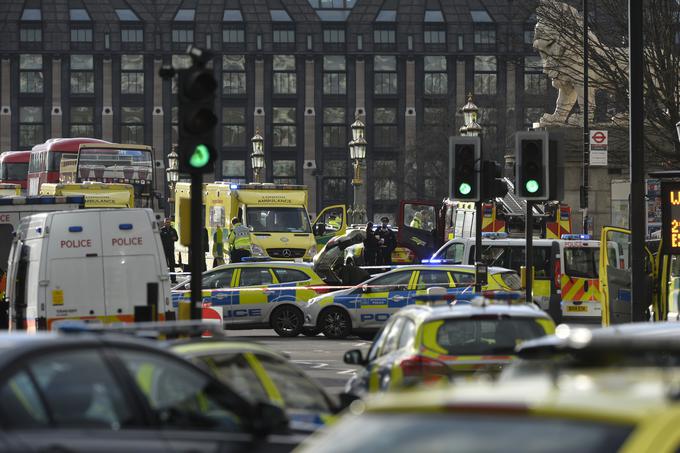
[{"x": 278, "y": 220}]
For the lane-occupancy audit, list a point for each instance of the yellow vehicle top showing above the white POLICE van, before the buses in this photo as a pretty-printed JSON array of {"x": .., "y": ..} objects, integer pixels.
[{"x": 97, "y": 194}]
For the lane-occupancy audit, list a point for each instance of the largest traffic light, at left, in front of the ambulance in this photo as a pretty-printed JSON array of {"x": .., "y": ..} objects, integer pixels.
[{"x": 196, "y": 119}]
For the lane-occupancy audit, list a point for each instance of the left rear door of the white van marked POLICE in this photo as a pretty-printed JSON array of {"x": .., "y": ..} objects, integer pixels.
[{"x": 73, "y": 267}]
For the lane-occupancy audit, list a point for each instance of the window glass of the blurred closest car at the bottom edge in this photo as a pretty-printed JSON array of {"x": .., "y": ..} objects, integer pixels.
[{"x": 436, "y": 432}]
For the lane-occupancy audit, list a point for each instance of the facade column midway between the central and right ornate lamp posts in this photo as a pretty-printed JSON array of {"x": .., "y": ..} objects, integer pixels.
[{"x": 410, "y": 154}]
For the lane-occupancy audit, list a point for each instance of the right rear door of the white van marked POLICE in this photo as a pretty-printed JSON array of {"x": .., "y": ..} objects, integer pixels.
[{"x": 131, "y": 260}]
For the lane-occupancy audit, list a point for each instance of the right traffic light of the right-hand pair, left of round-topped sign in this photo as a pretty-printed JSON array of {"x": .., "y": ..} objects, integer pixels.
[{"x": 533, "y": 166}]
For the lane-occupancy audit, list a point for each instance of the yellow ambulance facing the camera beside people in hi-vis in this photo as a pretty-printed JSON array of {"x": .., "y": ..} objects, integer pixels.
[{"x": 276, "y": 215}]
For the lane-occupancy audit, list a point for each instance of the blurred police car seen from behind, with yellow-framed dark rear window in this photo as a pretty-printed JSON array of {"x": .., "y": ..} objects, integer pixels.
[{"x": 431, "y": 343}]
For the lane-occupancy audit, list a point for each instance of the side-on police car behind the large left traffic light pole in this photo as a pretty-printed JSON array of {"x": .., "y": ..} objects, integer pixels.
[{"x": 259, "y": 295}]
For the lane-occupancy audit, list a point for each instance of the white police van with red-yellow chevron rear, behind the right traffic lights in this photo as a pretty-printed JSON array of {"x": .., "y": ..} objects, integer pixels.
[{"x": 565, "y": 270}]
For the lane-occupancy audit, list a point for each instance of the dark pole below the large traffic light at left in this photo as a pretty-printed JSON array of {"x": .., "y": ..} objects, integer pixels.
[{"x": 196, "y": 247}]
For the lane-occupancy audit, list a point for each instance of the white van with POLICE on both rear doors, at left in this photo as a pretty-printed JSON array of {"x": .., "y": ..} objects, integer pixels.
[{"x": 87, "y": 264}]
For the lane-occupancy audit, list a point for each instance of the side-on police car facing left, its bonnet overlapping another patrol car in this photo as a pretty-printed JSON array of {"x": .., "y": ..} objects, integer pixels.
[{"x": 364, "y": 308}]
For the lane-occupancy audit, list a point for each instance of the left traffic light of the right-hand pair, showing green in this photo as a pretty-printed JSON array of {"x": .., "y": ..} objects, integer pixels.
[{"x": 465, "y": 155}]
